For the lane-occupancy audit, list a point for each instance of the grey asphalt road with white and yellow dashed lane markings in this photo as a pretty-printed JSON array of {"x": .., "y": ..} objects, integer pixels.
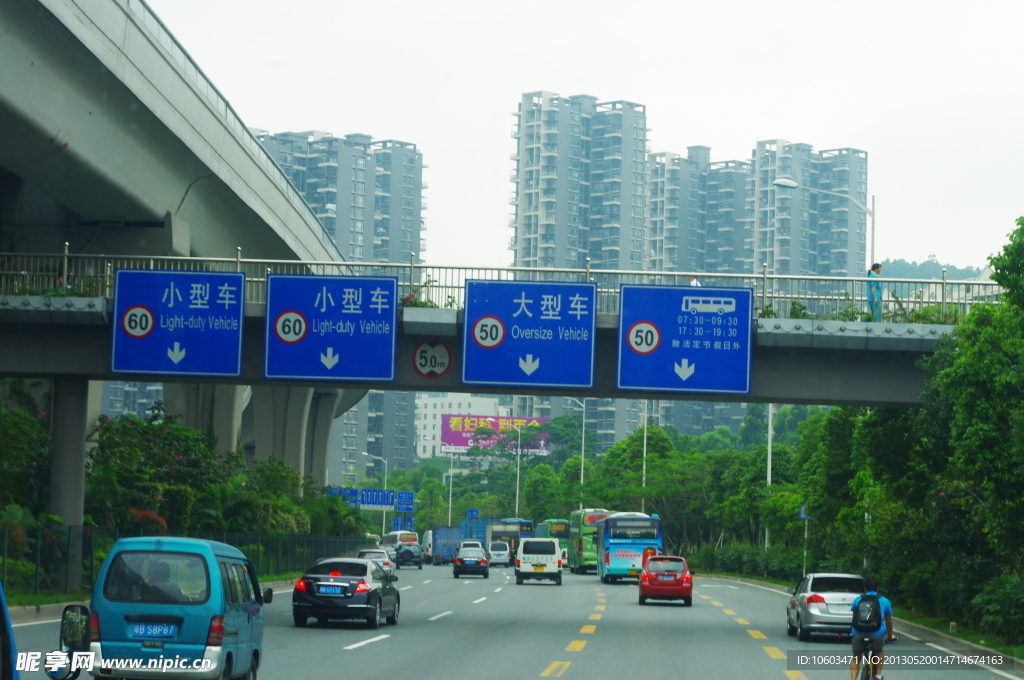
[{"x": 482, "y": 629}]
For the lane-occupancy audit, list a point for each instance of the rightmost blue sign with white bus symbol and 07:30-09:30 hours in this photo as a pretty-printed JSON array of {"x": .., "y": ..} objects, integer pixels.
[{"x": 686, "y": 339}]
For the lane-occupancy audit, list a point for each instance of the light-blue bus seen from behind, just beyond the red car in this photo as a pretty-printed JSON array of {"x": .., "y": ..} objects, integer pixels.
[{"x": 622, "y": 538}]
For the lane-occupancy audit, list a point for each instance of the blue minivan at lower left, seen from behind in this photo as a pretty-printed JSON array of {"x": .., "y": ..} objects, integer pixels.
[{"x": 175, "y": 608}]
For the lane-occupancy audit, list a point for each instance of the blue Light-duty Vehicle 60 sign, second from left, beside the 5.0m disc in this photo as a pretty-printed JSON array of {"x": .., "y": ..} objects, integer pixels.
[{"x": 331, "y": 328}]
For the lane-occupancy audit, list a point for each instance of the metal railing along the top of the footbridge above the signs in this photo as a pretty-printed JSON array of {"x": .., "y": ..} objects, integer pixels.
[{"x": 842, "y": 299}]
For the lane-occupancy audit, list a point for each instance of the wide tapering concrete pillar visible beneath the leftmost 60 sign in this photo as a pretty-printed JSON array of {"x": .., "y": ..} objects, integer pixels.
[{"x": 205, "y": 407}]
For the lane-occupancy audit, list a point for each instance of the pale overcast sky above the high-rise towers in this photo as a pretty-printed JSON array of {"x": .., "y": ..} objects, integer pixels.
[{"x": 931, "y": 91}]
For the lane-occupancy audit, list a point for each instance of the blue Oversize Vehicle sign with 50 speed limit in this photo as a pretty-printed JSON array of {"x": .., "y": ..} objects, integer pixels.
[{"x": 531, "y": 334}]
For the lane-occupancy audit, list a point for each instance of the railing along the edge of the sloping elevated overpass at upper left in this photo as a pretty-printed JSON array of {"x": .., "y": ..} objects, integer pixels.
[{"x": 179, "y": 55}]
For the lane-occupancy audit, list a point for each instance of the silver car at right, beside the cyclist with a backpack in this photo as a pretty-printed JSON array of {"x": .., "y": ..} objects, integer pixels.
[{"x": 822, "y": 605}]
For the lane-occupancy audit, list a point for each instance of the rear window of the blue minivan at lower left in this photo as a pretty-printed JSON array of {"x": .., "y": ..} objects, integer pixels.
[{"x": 158, "y": 578}]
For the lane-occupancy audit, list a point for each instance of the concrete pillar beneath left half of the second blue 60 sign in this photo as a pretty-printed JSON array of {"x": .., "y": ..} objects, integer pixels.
[{"x": 282, "y": 420}]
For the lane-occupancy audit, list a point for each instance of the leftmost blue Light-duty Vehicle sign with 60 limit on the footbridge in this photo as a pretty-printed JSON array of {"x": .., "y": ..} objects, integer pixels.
[{"x": 179, "y": 323}]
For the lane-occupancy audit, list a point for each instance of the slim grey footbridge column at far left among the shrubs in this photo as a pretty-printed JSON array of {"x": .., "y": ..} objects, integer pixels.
[{"x": 69, "y": 423}]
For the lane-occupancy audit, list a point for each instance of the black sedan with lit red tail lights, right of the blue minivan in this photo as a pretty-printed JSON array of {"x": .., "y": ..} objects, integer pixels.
[{"x": 346, "y": 588}]
